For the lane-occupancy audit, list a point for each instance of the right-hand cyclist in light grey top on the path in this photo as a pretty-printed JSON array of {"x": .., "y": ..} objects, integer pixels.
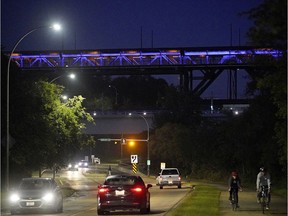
[{"x": 263, "y": 179}]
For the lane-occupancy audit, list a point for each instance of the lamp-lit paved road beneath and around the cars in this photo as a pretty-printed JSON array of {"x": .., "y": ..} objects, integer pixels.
[{"x": 85, "y": 182}]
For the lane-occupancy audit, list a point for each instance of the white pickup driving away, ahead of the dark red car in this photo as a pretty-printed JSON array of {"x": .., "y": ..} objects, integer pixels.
[{"x": 169, "y": 177}]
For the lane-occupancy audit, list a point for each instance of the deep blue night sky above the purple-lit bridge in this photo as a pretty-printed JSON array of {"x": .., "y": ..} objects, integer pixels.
[{"x": 114, "y": 24}]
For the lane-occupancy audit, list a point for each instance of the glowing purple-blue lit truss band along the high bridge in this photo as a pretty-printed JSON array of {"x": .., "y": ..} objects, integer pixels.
[{"x": 167, "y": 57}]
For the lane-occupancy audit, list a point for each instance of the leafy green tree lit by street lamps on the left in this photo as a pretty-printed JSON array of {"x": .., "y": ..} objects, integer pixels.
[{"x": 47, "y": 131}]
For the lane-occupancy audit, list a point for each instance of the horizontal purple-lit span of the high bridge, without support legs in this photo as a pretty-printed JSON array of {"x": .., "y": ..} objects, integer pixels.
[{"x": 141, "y": 57}]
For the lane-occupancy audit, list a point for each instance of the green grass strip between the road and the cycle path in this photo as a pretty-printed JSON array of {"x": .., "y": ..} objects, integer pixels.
[{"x": 203, "y": 200}]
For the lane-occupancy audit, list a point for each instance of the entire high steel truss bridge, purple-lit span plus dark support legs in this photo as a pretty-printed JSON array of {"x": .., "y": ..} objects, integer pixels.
[{"x": 197, "y": 68}]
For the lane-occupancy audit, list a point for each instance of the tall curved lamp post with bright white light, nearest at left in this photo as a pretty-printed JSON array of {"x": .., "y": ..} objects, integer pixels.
[{"x": 55, "y": 27}]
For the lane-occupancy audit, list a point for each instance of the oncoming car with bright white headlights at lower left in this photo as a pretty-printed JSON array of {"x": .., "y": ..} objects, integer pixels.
[{"x": 36, "y": 194}]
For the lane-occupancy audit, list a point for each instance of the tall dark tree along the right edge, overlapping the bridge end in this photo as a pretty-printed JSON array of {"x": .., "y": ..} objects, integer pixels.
[{"x": 270, "y": 30}]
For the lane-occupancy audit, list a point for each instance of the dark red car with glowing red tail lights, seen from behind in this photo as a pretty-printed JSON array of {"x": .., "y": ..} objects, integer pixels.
[{"x": 123, "y": 192}]
